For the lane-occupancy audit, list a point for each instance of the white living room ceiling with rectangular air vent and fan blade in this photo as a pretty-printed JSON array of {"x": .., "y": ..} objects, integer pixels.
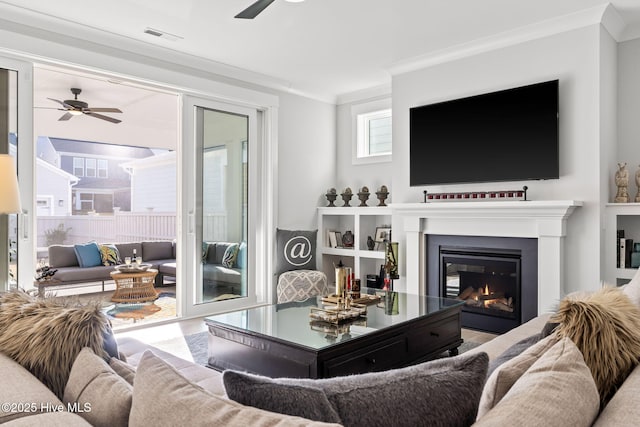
[{"x": 323, "y": 48}]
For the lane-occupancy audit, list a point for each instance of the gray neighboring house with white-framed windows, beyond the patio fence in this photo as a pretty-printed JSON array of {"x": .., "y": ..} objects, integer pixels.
[{"x": 102, "y": 184}]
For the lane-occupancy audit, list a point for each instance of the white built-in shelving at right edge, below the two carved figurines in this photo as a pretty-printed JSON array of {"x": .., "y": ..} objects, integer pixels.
[{"x": 620, "y": 216}]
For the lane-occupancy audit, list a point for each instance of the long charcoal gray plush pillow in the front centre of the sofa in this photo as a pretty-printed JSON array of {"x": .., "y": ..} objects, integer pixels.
[{"x": 401, "y": 397}]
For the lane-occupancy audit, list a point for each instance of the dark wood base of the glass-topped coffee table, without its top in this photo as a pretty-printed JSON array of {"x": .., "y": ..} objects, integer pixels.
[{"x": 407, "y": 343}]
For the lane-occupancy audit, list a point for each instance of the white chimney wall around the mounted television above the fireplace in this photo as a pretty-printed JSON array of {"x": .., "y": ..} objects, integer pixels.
[{"x": 572, "y": 57}]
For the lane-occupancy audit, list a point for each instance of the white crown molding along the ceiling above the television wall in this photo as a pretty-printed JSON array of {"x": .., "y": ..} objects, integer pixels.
[{"x": 584, "y": 18}]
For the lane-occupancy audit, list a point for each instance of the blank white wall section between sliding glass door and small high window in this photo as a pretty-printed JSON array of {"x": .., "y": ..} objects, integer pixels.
[{"x": 306, "y": 159}]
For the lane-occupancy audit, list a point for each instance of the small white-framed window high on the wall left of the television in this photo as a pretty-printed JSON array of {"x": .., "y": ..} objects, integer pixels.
[{"x": 372, "y": 132}]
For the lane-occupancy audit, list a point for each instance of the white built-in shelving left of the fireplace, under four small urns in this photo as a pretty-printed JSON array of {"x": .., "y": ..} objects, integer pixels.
[{"x": 362, "y": 222}]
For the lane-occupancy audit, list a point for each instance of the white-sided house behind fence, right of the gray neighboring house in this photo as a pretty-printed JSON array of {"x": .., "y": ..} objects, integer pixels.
[{"x": 153, "y": 183}]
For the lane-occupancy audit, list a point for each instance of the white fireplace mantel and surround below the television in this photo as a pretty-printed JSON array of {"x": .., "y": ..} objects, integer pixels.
[{"x": 544, "y": 220}]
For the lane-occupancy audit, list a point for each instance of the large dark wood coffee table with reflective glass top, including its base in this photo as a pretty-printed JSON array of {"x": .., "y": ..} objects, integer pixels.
[{"x": 282, "y": 341}]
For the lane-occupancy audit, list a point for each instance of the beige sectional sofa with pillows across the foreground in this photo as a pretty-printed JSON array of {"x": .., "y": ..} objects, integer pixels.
[{"x": 538, "y": 377}]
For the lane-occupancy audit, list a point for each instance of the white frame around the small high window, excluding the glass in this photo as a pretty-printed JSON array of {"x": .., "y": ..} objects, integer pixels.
[{"x": 361, "y": 114}]
